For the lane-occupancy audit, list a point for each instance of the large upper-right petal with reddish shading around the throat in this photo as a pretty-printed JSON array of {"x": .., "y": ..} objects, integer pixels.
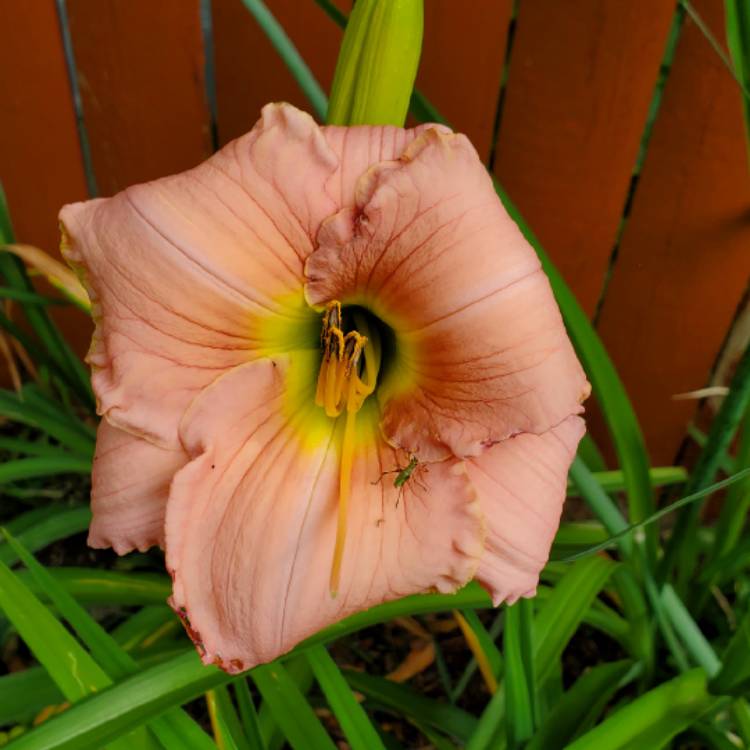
[{"x": 482, "y": 352}]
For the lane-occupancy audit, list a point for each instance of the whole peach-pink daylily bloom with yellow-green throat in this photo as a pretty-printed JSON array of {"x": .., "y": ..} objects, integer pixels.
[{"x": 280, "y": 332}]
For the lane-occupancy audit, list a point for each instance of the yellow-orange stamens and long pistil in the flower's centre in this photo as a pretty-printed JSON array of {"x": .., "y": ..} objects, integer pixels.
[{"x": 341, "y": 387}]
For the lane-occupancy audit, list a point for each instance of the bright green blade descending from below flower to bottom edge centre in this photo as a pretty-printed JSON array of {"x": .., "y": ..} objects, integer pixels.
[{"x": 353, "y": 719}]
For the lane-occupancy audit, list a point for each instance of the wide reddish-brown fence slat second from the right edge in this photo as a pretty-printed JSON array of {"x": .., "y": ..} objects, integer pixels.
[{"x": 581, "y": 78}]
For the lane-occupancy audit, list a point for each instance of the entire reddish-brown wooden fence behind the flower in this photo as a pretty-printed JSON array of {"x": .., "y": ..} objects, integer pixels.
[{"x": 556, "y": 99}]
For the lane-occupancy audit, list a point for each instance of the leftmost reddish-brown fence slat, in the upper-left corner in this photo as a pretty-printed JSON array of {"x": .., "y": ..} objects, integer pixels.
[{"x": 40, "y": 158}]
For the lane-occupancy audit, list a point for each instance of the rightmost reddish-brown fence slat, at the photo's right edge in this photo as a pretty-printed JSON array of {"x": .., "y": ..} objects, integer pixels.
[{"x": 684, "y": 260}]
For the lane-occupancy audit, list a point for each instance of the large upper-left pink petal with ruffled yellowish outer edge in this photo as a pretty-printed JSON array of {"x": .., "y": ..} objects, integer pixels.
[{"x": 183, "y": 272}]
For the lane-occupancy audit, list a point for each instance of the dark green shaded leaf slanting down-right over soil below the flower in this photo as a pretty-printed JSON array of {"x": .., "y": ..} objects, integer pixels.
[{"x": 404, "y": 701}]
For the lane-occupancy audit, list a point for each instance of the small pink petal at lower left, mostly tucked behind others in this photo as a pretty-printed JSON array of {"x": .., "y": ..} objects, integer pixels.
[{"x": 130, "y": 485}]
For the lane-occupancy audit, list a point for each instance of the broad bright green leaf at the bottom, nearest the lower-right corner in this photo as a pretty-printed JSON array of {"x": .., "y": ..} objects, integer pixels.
[{"x": 654, "y": 718}]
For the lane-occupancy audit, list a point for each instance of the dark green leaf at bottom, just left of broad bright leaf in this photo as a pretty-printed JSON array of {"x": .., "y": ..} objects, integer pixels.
[{"x": 581, "y": 705}]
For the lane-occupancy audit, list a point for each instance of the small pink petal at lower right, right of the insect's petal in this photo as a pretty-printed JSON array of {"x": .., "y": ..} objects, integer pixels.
[{"x": 521, "y": 484}]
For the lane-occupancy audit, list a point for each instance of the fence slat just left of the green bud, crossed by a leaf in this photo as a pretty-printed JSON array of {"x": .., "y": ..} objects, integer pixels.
[{"x": 249, "y": 71}]
